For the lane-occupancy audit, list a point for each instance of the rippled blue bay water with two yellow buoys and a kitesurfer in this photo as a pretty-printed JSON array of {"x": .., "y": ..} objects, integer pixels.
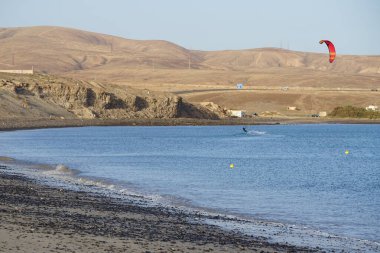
[{"x": 293, "y": 175}]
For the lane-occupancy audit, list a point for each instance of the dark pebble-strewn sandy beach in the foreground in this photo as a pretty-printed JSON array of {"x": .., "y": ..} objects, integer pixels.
[{"x": 40, "y": 218}]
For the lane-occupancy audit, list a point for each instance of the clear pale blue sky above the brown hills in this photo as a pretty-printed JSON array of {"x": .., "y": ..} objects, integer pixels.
[{"x": 352, "y": 25}]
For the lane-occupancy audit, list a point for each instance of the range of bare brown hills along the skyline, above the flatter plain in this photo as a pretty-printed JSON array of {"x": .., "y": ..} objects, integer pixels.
[{"x": 66, "y": 49}]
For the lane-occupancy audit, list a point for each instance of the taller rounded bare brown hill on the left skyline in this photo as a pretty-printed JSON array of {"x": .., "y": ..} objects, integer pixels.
[{"x": 56, "y": 49}]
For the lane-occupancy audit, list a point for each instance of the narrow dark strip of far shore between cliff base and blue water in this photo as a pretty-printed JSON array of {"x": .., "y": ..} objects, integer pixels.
[{"x": 20, "y": 124}]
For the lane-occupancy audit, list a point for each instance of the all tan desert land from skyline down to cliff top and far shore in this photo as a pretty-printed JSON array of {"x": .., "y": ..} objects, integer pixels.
[{"x": 312, "y": 83}]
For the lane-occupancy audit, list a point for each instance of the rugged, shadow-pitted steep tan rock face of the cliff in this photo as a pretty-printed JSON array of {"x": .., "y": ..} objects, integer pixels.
[{"x": 90, "y": 102}]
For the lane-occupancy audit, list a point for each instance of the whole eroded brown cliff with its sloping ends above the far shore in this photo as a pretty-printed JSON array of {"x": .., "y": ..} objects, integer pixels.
[{"x": 88, "y": 100}]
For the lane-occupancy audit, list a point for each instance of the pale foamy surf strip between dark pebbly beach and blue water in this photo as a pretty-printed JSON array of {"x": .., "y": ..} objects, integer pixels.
[{"x": 271, "y": 231}]
